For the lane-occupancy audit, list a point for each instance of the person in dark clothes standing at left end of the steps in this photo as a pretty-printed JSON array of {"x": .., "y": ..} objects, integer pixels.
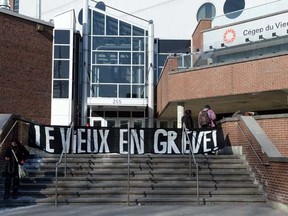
[{"x": 15, "y": 154}]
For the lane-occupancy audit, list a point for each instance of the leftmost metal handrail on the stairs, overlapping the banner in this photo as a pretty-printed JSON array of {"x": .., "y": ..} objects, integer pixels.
[{"x": 64, "y": 152}]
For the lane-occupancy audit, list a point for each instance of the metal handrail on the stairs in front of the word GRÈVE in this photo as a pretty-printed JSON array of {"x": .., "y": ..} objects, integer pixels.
[{"x": 191, "y": 152}]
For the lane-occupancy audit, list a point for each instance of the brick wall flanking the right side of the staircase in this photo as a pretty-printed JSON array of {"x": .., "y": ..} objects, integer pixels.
[{"x": 272, "y": 177}]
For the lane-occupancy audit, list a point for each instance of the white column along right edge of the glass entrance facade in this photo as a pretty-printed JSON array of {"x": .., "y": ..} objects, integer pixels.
[{"x": 150, "y": 74}]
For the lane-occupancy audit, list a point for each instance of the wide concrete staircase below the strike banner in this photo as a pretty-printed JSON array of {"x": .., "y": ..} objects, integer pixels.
[{"x": 154, "y": 179}]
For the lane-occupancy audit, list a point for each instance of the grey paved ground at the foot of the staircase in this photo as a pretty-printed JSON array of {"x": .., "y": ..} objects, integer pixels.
[{"x": 151, "y": 210}]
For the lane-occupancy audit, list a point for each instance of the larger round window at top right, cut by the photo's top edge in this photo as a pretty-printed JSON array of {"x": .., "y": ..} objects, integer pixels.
[{"x": 233, "y": 8}]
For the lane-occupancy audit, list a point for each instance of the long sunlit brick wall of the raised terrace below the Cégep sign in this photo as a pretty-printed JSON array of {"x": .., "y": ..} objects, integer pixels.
[{"x": 239, "y": 78}]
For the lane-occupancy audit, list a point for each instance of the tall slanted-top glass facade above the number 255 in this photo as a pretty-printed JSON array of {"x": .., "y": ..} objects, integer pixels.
[{"x": 118, "y": 66}]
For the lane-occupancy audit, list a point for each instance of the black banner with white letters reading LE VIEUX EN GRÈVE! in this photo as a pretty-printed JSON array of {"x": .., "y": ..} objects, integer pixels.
[{"x": 55, "y": 139}]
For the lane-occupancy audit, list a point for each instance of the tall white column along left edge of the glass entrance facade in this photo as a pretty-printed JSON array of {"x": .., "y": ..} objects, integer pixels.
[{"x": 85, "y": 63}]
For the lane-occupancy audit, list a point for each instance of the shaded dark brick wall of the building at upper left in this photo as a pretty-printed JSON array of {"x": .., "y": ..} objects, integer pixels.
[{"x": 26, "y": 65}]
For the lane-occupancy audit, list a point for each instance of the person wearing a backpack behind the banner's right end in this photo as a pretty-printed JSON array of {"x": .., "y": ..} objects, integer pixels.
[{"x": 206, "y": 117}]
